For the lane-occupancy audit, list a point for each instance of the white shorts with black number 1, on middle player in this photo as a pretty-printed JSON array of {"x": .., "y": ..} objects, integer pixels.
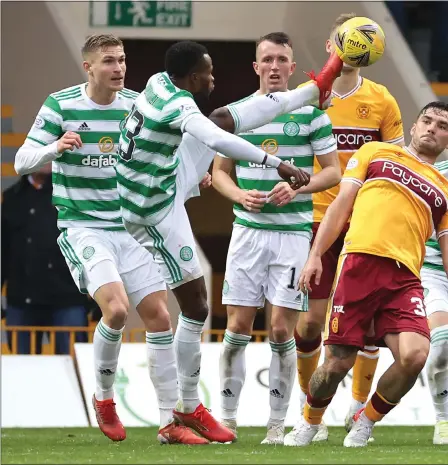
[{"x": 265, "y": 264}]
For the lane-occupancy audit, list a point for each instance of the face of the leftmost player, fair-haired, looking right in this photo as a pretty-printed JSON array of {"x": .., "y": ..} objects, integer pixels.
[{"x": 106, "y": 67}]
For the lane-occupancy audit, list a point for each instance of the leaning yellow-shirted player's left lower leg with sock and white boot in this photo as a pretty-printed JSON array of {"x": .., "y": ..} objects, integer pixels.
[{"x": 338, "y": 361}]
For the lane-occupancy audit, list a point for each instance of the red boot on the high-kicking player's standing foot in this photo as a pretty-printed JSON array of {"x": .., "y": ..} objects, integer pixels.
[{"x": 202, "y": 422}]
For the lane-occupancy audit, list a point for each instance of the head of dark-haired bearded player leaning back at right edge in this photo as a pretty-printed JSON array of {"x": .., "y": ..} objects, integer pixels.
[{"x": 430, "y": 131}]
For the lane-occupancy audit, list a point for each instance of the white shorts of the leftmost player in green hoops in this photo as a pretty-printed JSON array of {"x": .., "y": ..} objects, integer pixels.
[{"x": 97, "y": 257}]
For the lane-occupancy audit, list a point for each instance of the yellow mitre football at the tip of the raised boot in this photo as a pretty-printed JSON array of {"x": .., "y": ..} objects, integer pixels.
[{"x": 360, "y": 42}]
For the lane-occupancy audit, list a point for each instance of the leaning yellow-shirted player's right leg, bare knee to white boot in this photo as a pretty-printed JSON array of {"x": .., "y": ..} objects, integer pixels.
[{"x": 410, "y": 351}]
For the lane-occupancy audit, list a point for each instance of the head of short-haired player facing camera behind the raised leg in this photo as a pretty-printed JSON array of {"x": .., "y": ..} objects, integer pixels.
[{"x": 274, "y": 61}]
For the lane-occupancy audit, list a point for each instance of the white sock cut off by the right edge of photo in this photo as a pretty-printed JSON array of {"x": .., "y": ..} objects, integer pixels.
[{"x": 437, "y": 371}]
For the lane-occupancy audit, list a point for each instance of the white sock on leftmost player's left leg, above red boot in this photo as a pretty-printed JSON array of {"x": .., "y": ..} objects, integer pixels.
[{"x": 106, "y": 348}]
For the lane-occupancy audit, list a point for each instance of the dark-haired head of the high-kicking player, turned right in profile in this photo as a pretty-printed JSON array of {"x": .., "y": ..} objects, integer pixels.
[{"x": 189, "y": 65}]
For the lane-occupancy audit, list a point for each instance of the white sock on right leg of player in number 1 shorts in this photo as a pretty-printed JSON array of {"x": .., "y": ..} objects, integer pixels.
[{"x": 282, "y": 373}]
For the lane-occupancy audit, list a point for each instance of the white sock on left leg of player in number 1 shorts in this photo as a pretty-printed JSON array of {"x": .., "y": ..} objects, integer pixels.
[{"x": 232, "y": 372}]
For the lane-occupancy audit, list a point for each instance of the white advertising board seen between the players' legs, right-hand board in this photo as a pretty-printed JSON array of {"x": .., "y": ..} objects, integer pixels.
[{"x": 137, "y": 402}]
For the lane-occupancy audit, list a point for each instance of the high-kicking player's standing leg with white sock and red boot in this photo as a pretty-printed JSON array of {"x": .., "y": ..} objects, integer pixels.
[{"x": 192, "y": 299}]
